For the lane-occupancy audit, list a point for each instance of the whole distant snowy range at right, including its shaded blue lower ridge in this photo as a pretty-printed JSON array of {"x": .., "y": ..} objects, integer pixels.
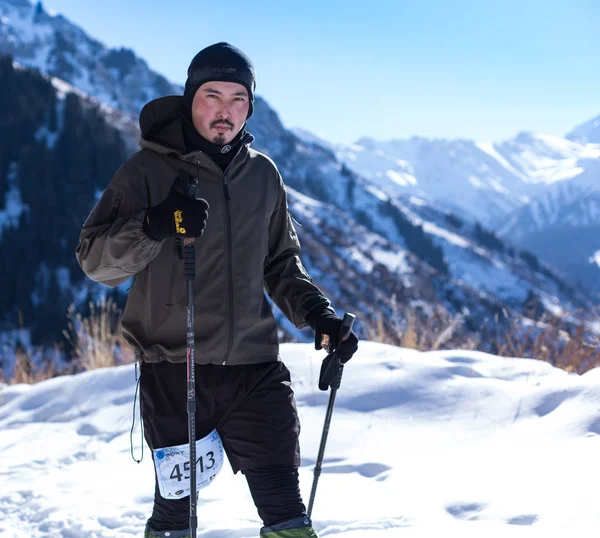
[{"x": 539, "y": 191}]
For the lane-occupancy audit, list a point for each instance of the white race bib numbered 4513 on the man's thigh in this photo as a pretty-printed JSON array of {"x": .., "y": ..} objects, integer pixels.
[{"x": 173, "y": 466}]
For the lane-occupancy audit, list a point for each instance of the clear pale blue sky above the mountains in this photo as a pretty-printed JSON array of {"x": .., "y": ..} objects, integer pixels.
[{"x": 482, "y": 69}]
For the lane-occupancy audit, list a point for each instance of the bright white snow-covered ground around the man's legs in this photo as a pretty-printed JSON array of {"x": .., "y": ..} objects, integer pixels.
[{"x": 450, "y": 443}]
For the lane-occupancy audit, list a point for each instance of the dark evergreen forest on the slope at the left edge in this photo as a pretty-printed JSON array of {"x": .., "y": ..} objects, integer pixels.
[{"x": 57, "y": 174}]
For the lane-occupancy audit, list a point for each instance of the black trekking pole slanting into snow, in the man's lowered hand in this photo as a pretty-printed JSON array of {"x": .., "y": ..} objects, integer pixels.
[{"x": 331, "y": 374}]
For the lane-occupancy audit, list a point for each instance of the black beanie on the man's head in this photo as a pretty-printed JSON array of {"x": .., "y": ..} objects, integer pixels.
[{"x": 220, "y": 61}]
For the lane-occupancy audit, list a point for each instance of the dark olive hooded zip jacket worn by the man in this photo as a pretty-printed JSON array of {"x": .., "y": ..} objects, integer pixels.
[{"x": 249, "y": 245}]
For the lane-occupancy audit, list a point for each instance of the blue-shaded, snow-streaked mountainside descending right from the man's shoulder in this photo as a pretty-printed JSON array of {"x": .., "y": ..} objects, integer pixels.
[{"x": 403, "y": 246}]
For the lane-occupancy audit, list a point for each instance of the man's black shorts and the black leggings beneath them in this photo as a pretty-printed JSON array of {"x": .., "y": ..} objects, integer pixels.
[{"x": 253, "y": 409}]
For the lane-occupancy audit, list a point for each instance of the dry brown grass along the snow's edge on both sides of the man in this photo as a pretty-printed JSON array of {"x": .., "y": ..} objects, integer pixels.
[{"x": 97, "y": 341}]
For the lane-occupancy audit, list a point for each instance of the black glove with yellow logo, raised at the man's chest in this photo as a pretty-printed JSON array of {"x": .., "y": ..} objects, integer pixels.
[{"x": 176, "y": 216}]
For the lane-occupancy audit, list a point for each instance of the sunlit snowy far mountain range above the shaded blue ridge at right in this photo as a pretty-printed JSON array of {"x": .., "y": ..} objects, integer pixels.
[{"x": 482, "y": 181}]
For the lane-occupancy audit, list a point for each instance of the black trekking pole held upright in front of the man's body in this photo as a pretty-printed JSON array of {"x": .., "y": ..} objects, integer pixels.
[{"x": 189, "y": 269}]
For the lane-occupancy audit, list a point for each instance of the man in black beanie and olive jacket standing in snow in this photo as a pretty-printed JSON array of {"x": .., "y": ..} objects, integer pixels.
[{"x": 248, "y": 244}]
